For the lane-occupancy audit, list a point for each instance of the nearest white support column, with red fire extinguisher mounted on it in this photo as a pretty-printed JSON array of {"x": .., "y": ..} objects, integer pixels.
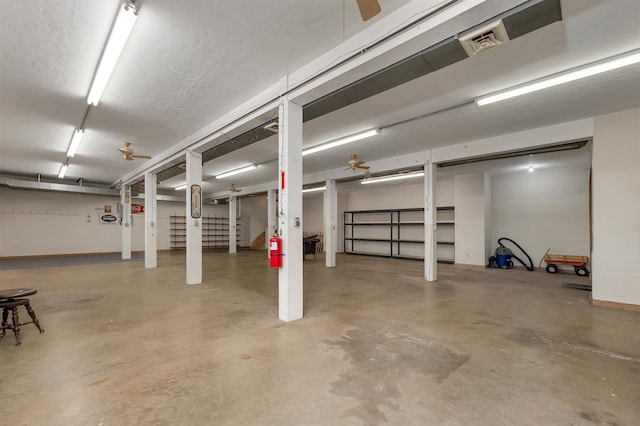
[{"x": 290, "y": 203}]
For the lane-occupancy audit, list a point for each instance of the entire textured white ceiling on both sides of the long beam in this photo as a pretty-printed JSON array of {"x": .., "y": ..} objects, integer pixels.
[{"x": 189, "y": 62}]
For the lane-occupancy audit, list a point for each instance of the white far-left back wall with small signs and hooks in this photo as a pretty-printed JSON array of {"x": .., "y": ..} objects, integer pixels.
[{"x": 41, "y": 223}]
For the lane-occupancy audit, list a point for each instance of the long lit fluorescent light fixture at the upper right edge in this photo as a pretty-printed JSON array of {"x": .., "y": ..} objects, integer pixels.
[{"x": 588, "y": 70}]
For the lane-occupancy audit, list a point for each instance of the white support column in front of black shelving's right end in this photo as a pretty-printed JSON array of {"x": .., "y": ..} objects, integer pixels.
[{"x": 430, "y": 227}]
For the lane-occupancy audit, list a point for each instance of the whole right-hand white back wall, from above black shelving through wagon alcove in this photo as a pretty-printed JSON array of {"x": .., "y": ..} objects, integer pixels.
[{"x": 544, "y": 209}]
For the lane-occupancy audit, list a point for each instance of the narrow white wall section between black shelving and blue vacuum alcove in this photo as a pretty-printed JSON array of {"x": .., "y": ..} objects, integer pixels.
[{"x": 470, "y": 220}]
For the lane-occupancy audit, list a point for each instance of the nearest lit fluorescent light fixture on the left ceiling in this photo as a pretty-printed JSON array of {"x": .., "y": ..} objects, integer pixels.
[{"x": 122, "y": 27}]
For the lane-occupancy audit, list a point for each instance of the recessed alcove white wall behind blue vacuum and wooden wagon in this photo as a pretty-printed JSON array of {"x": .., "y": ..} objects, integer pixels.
[{"x": 540, "y": 210}]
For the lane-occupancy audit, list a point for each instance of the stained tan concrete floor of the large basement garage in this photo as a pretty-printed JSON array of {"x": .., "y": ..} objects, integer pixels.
[{"x": 127, "y": 346}]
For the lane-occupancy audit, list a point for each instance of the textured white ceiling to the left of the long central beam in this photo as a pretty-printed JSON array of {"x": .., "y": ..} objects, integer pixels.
[{"x": 186, "y": 63}]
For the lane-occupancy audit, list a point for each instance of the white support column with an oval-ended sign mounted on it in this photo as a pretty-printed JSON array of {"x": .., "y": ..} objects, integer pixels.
[{"x": 194, "y": 217}]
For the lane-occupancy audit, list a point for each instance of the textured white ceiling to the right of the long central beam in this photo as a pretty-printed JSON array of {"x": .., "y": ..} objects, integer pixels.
[{"x": 551, "y": 49}]
